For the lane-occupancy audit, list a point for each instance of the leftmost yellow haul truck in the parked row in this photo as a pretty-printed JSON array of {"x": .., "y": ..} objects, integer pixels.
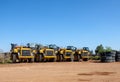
[{"x": 21, "y": 53}]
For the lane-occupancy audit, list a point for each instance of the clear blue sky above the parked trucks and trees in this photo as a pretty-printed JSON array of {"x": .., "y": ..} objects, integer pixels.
[{"x": 62, "y": 22}]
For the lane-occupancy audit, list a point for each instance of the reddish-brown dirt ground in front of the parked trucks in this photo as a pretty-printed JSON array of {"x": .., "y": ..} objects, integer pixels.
[{"x": 60, "y": 72}]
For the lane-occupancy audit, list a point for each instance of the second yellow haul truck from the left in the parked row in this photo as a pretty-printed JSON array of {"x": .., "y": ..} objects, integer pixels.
[{"x": 44, "y": 54}]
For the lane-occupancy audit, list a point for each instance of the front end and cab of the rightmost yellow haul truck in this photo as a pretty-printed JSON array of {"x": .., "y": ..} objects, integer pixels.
[{"x": 85, "y": 53}]
